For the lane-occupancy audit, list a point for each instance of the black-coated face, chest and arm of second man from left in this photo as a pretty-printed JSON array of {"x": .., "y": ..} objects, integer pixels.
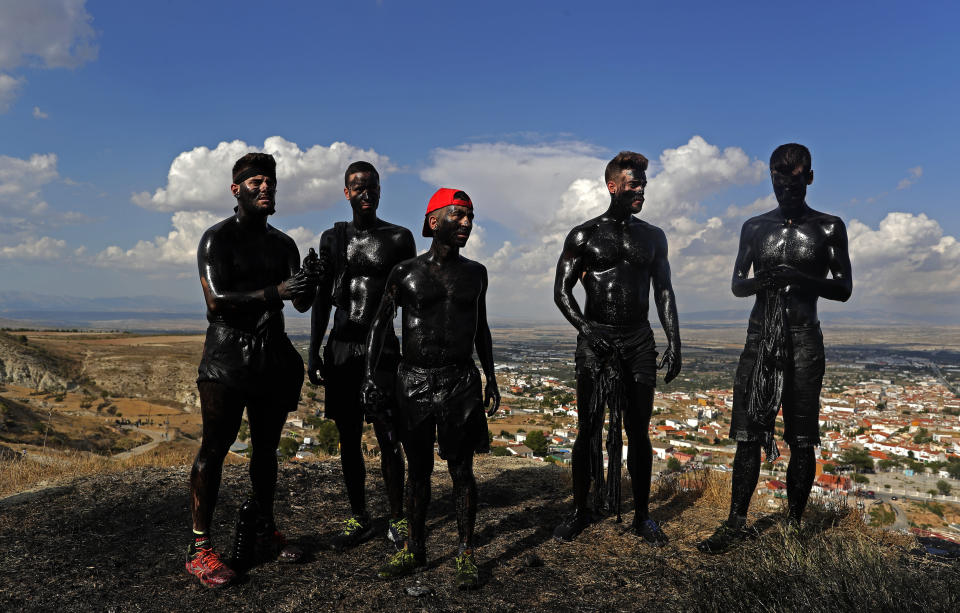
[{"x": 374, "y": 247}]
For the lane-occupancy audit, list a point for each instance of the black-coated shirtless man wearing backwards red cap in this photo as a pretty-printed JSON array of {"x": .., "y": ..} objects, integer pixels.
[{"x": 443, "y": 296}]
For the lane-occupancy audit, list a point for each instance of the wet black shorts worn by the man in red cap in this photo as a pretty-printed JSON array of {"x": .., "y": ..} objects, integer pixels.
[{"x": 447, "y": 400}]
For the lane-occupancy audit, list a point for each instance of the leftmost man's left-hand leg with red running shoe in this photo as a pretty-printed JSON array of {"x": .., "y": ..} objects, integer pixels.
[{"x": 221, "y": 411}]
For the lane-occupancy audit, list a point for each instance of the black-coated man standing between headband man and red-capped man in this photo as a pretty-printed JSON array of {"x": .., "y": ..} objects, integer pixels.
[{"x": 358, "y": 255}]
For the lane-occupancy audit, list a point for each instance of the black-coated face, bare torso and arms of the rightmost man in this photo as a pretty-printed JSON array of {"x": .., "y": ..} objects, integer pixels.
[{"x": 796, "y": 248}]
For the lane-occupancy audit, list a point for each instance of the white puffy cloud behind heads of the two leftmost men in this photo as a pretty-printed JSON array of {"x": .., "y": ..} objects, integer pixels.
[{"x": 307, "y": 179}]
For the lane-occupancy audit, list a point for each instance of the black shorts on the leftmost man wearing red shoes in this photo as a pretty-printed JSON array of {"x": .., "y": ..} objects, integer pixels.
[{"x": 263, "y": 365}]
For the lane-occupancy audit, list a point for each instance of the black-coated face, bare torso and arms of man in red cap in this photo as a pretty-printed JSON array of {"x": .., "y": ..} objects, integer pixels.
[{"x": 443, "y": 296}]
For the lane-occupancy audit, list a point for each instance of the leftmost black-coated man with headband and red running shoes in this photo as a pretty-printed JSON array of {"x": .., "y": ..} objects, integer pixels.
[{"x": 247, "y": 269}]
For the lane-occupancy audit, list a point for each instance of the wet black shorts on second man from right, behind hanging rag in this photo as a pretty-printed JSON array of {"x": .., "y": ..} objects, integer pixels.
[{"x": 636, "y": 350}]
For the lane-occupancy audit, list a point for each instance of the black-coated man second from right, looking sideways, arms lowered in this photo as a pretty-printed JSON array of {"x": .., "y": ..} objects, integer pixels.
[{"x": 616, "y": 257}]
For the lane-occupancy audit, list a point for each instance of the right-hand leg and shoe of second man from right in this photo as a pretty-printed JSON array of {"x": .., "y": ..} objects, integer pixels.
[{"x": 636, "y": 421}]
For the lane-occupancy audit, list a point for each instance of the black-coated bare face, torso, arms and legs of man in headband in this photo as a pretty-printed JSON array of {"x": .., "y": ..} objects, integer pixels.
[{"x": 238, "y": 258}]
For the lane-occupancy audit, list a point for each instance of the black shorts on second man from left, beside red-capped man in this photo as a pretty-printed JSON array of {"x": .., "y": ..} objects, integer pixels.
[{"x": 344, "y": 363}]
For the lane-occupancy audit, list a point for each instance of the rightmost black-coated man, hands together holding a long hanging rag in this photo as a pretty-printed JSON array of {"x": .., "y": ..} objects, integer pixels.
[{"x": 792, "y": 250}]
